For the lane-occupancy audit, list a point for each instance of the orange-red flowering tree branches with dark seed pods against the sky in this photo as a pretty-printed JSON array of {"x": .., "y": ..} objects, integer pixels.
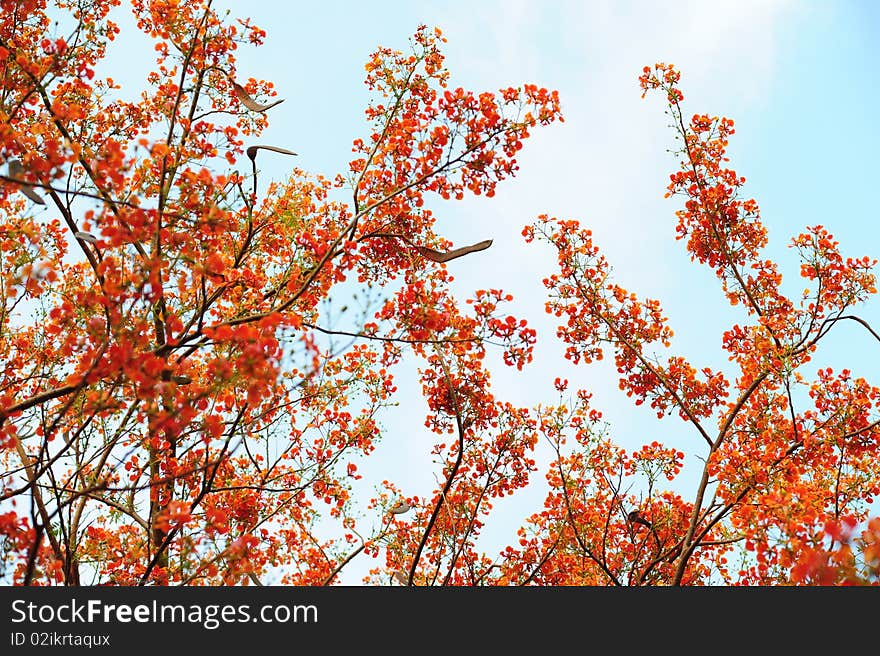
[{"x": 169, "y": 411}]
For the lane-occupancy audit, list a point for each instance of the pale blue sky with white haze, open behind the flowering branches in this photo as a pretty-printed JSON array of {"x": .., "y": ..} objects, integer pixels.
[{"x": 799, "y": 79}]
